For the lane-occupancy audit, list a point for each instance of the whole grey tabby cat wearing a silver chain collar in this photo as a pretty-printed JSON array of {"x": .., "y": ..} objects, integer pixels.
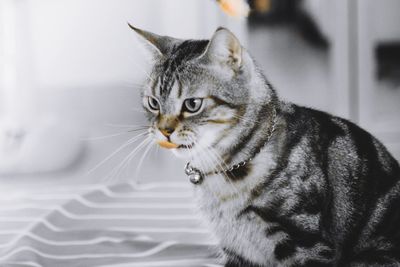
[{"x": 279, "y": 184}]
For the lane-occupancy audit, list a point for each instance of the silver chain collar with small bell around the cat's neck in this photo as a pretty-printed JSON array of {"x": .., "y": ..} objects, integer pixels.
[{"x": 196, "y": 176}]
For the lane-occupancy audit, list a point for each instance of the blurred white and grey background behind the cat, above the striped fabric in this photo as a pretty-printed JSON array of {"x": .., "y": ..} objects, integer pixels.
[{"x": 70, "y": 75}]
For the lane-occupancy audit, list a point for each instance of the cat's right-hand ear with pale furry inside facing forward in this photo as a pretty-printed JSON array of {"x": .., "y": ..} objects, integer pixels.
[{"x": 224, "y": 48}]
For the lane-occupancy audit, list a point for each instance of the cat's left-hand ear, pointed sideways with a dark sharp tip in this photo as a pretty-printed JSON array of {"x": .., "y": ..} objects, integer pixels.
[{"x": 158, "y": 45}]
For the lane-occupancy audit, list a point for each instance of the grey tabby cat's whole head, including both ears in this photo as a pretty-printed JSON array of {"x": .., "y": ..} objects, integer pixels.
[{"x": 198, "y": 93}]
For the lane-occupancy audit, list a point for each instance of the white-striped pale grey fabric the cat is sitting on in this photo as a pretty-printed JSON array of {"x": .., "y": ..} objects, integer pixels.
[{"x": 114, "y": 226}]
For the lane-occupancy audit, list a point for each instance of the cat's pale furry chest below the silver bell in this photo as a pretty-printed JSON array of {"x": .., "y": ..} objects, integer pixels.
[{"x": 243, "y": 234}]
